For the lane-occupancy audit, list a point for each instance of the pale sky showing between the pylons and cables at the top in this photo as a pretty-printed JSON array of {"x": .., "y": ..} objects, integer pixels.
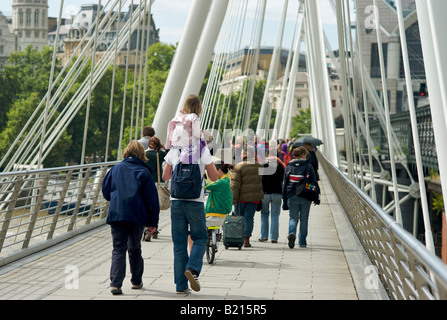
[{"x": 170, "y": 17}]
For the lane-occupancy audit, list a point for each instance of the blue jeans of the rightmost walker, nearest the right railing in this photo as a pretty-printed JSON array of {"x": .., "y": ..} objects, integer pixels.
[{"x": 299, "y": 212}]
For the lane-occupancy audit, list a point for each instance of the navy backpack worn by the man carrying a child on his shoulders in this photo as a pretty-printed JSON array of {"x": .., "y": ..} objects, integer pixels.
[{"x": 186, "y": 181}]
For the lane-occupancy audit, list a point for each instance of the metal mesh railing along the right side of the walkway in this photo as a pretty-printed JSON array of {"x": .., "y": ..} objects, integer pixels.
[{"x": 406, "y": 268}]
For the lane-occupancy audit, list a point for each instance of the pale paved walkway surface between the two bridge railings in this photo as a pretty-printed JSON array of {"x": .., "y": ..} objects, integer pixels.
[{"x": 331, "y": 267}]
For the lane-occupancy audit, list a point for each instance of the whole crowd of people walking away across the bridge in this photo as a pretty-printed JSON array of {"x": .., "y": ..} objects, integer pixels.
[{"x": 263, "y": 177}]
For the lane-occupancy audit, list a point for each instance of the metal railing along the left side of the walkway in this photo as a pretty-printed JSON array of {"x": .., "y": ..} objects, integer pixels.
[{"x": 39, "y": 208}]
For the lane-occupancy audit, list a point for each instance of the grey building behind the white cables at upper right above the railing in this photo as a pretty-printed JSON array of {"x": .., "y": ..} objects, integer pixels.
[{"x": 397, "y": 91}]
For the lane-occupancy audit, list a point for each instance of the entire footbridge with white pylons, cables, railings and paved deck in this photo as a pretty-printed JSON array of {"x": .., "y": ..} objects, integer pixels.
[{"x": 364, "y": 241}]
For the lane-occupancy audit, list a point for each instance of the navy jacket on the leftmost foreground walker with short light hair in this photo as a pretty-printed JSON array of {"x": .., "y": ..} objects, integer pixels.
[{"x": 132, "y": 193}]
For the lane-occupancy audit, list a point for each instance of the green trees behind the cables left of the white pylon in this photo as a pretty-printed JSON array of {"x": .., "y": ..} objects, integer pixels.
[{"x": 25, "y": 82}]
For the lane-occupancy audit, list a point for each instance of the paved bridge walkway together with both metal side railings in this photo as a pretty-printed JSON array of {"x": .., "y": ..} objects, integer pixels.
[{"x": 57, "y": 248}]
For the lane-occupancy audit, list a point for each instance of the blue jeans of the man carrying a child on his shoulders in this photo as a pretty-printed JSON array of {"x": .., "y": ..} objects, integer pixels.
[{"x": 187, "y": 217}]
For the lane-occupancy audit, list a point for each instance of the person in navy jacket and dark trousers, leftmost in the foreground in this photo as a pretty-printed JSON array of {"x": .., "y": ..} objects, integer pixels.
[{"x": 133, "y": 205}]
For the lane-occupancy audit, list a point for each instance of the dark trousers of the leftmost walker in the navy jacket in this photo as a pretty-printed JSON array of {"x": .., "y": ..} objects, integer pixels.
[{"x": 126, "y": 237}]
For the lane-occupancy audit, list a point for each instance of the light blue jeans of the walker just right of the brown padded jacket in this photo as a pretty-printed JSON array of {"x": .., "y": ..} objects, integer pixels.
[{"x": 275, "y": 200}]
